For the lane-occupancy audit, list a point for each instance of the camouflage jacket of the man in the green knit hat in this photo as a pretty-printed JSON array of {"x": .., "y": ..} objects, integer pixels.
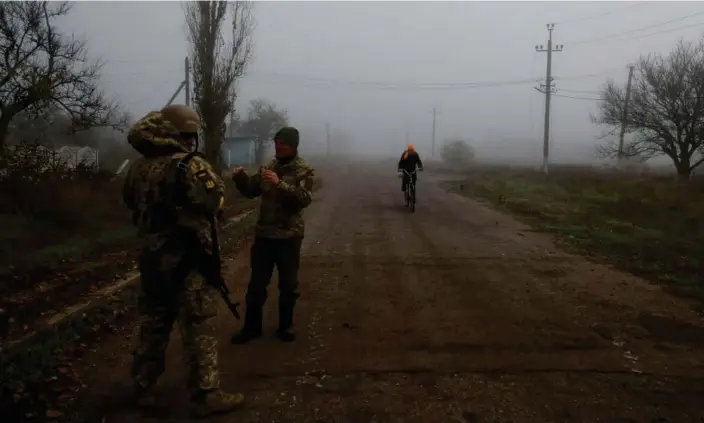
[{"x": 281, "y": 210}]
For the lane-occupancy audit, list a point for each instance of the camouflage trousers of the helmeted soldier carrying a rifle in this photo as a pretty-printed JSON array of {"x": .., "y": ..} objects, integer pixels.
[{"x": 193, "y": 305}]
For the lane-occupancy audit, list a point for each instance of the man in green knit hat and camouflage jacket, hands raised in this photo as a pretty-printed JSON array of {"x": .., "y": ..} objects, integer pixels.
[{"x": 285, "y": 187}]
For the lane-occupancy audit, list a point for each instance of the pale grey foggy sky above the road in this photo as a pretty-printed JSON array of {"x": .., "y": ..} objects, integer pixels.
[{"x": 375, "y": 70}]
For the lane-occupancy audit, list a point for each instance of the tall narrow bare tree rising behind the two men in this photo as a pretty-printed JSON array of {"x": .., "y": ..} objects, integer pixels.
[{"x": 219, "y": 60}]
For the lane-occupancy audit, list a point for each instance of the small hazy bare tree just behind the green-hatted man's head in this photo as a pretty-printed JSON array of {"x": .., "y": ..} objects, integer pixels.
[{"x": 263, "y": 120}]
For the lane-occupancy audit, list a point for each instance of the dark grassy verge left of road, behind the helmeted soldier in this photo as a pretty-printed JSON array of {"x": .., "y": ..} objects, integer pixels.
[{"x": 53, "y": 265}]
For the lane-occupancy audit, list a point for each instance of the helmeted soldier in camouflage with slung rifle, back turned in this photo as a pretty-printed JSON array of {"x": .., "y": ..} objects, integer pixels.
[{"x": 173, "y": 194}]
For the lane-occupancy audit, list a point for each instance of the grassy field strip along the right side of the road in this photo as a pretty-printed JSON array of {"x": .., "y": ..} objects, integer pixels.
[{"x": 649, "y": 225}]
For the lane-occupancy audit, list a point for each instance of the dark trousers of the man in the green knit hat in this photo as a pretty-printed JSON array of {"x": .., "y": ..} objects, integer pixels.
[{"x": 266, "y": 253}]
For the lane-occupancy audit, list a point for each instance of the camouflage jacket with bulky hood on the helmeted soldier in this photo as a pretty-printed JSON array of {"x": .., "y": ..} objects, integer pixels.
[{"x": 148, "y": 189}]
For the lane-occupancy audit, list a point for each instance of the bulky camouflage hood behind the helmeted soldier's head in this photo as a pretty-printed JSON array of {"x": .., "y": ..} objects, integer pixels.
[{"x": 155, "y": 136}]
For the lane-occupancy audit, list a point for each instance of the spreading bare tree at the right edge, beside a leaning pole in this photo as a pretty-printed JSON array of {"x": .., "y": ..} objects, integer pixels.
[{"x": 666, "y": 112}]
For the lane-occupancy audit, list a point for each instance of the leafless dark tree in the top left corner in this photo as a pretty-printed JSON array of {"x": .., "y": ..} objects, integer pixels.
[{"x": 40, "y": 68}]
